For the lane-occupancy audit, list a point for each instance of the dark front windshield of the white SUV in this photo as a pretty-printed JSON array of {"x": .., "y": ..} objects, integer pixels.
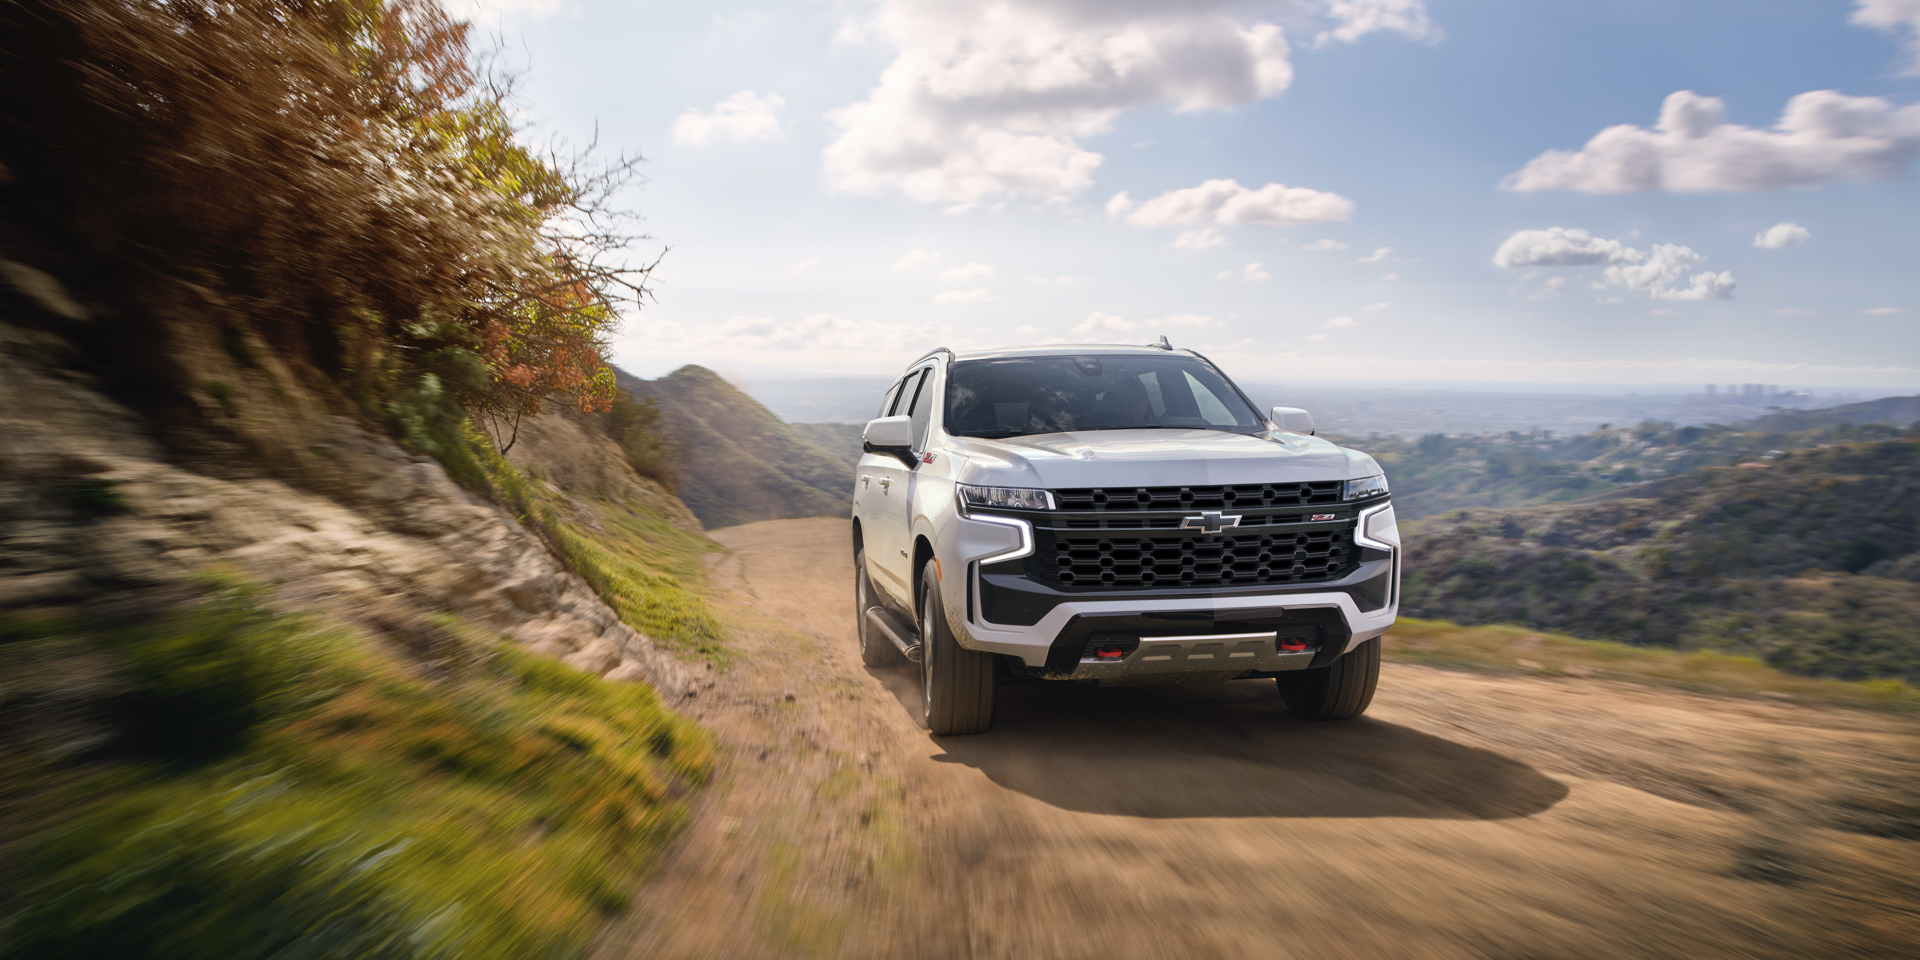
[{"x": 1019, "y": 396}]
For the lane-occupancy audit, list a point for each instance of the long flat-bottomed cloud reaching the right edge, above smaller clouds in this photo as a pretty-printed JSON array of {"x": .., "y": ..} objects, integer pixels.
[{"x": 1823, "y": 137}]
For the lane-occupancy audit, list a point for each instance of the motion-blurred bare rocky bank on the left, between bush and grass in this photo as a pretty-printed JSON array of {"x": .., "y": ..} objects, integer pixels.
[{"x": 103, "y": 506}]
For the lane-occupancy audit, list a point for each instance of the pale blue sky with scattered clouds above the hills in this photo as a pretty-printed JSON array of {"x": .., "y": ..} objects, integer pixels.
[{"x": 1643, "y": 193}]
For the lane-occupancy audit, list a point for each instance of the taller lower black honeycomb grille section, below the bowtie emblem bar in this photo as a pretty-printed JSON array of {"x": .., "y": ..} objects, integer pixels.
[{"x": 1195, "y": 562}]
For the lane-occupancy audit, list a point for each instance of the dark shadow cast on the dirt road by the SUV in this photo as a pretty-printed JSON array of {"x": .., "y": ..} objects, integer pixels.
[{"x": 1228, "y": 750}]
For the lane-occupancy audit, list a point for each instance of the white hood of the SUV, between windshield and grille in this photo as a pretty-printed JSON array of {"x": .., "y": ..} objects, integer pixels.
[{"x": 1155, "y": 458}]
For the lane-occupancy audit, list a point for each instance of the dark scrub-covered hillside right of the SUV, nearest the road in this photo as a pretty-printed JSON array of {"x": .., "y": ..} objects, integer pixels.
[{"x": 1808, "y": 562}]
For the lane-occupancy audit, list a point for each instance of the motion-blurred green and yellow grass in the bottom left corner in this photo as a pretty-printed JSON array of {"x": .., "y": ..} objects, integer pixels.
[{"x": 289, "y": 790}]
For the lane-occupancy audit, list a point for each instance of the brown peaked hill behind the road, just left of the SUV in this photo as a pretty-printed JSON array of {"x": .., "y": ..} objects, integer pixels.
[{"x": 738, "y": 462}]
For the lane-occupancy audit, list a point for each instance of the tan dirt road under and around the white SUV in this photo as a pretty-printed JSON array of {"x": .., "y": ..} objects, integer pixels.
[{"x": 1464, "y": 817}]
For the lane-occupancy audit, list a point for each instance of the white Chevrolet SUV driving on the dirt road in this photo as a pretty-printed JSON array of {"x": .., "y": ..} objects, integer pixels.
[{"x": 1115, "y": 516}]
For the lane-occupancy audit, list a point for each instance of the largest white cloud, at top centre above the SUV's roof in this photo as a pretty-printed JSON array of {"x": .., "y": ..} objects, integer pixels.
[{"x": 994, "y": 99}]
